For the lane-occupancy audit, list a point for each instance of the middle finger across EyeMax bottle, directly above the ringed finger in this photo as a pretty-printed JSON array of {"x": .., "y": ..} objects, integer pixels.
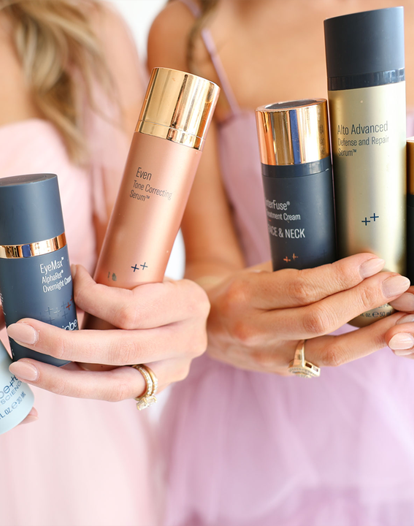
[{"x": 112, "y": 347}]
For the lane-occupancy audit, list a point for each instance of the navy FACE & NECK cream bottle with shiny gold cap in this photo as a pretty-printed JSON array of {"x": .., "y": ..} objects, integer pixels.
[{"x": 297, "y": 180}]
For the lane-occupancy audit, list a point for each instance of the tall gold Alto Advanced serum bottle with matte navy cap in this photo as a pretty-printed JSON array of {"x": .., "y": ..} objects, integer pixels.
[{"x": 366, "y": 87}]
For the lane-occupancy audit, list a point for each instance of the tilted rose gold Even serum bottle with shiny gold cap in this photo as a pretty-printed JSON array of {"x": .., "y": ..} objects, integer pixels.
[{"x": 160, "y": 169}]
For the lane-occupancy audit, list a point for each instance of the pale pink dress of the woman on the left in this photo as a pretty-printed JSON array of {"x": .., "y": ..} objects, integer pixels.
[{"x": 85, "y": 462}]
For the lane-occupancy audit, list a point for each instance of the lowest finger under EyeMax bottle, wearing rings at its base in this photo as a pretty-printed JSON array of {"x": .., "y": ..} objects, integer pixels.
[{"x": 113, "y": 386}]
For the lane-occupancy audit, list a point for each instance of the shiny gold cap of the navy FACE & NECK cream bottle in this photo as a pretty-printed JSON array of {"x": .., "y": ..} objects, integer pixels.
[{"x": 293, "y": 132}]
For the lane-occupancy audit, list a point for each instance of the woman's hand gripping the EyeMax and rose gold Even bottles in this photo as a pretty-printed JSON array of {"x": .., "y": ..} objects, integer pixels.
[{"x": 160, "y": 324}]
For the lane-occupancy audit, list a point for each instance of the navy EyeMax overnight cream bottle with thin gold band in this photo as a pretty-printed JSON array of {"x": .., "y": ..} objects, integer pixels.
[{"x": 35, "y": 277}]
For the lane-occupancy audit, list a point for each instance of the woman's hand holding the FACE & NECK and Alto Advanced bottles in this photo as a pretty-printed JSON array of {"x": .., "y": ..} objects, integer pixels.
[{"x": 258, "y": 317}]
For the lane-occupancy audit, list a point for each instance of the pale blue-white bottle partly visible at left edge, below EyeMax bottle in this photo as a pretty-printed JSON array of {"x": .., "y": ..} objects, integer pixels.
[{"x": 16, "y": 398}]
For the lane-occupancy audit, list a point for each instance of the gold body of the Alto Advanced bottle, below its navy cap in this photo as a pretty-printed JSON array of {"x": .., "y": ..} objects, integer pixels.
[{"x": 368, "y": 128}]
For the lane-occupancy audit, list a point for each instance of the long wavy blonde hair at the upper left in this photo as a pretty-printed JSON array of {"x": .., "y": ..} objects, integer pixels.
[{"x": 62, "y": 59}]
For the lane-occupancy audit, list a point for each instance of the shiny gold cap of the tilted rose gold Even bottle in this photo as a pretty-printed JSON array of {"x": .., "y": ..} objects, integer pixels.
[{"x": 178, "y": 106}]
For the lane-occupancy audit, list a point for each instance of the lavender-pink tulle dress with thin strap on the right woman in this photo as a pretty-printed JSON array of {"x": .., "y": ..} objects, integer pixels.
[{"x": 255, "y": 449}]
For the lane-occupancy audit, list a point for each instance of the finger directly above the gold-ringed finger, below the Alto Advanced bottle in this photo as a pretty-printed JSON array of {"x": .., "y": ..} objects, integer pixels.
[{"x": 331, "y": 313}]
